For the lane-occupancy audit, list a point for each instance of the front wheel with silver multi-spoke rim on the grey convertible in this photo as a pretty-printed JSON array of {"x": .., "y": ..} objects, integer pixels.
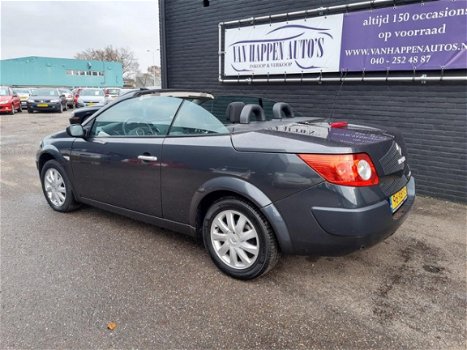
[{"x": 57, "y": 187}]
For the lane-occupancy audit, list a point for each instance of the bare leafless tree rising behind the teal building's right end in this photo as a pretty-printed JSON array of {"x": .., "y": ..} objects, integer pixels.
[{"x": 124, "y": 56}]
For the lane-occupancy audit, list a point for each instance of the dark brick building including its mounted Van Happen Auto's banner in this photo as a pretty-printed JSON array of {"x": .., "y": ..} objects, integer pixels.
[{"x": 389, "y": 64}]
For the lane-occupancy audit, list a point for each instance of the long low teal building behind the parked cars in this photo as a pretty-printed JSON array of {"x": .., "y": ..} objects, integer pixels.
[{"x": 60, "y": 72}]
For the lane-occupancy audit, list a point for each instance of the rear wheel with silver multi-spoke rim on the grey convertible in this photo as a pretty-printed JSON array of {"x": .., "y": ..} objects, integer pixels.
[{"x": 239, "y": 239}]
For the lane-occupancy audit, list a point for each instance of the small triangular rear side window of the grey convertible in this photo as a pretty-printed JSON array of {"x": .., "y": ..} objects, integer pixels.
[{"x": 193, "y": 119}]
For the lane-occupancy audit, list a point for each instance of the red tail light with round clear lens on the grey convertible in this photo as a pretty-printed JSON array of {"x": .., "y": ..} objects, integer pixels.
[{"x": 343, "y": 169}]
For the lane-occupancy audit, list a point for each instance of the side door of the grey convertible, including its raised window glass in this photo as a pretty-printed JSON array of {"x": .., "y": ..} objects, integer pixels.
[{"x": 119, "y": 162}]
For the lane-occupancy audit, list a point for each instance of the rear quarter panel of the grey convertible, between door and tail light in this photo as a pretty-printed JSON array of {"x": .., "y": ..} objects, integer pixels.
[{"x": 188, "y": 163}]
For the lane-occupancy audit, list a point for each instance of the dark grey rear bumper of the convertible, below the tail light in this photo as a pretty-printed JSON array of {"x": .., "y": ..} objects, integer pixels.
[{"x": 328, "y": 230}]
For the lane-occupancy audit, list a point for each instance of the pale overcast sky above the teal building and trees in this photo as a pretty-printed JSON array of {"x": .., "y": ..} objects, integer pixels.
[{"x": 64, "y": 28}]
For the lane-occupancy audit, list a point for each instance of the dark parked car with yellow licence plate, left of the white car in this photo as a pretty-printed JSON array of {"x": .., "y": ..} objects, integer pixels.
[{"x": 47, "y": 99}]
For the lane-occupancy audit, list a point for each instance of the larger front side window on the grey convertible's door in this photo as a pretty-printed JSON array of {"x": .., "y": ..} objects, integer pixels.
[{"x": 143, "y": 116}]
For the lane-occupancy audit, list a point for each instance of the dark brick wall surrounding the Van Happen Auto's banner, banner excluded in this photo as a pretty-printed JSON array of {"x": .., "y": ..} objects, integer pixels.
[{"x": 431, "y": 116}]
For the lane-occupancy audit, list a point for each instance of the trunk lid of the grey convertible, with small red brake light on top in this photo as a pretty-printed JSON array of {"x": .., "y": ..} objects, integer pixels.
[{"x": 385, "y": 147}]
